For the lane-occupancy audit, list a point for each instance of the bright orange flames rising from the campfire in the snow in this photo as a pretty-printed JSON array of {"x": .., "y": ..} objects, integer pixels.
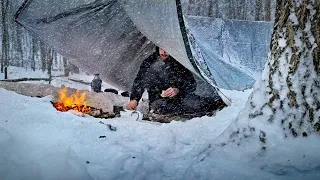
[{"x": 76, "y": 101}]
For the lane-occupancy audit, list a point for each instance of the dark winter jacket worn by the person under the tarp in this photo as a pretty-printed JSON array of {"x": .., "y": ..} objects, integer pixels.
[{"x": 156, "y": 76}]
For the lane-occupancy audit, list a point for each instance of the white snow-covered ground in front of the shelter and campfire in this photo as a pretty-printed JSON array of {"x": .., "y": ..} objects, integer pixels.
[{"x": 38, "y": 142}]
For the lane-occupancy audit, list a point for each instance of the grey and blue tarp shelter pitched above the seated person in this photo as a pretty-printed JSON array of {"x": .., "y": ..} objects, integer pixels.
[{"x": 113, "y": 37}]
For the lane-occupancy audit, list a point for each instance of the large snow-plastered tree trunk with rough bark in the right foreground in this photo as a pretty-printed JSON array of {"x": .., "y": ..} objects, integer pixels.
[{"x": 287, "y": 97}]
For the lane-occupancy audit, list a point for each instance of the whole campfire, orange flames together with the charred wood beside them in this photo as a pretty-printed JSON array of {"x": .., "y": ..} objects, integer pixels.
[{"x": 77, "y": 103}]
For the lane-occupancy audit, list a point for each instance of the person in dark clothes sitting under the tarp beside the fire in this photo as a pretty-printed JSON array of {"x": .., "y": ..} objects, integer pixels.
[{"x": 170, "y": 87}]
